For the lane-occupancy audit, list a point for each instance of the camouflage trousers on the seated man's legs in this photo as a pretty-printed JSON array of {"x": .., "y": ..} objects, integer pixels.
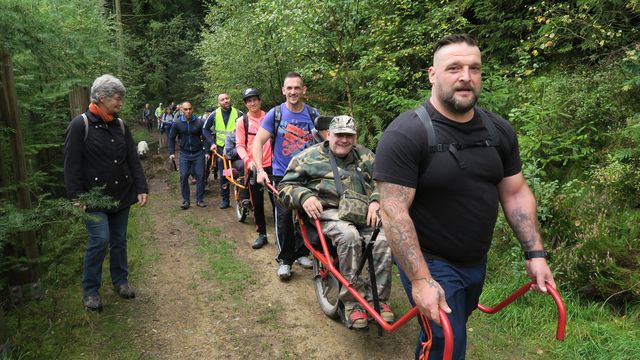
[{"x": 347, "y": 240}]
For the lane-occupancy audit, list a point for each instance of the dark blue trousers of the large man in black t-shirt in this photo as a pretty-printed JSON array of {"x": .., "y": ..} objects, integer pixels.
[{"x": 462, "y": 287}]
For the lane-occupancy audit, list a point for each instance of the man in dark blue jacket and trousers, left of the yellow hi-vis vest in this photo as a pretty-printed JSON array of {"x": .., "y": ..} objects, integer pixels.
[{"x": 189, "y": 128}]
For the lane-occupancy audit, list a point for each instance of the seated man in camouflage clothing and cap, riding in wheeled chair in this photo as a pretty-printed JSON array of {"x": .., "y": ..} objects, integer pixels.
[{"x": 309, "y": 184}]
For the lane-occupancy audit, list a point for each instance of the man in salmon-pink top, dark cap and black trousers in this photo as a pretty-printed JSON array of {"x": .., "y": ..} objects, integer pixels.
[{"x": 246, "y": 128}]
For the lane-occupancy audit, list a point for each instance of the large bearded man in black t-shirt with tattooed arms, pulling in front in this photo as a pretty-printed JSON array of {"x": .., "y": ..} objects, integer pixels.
[{"x": 439, "y": 201}]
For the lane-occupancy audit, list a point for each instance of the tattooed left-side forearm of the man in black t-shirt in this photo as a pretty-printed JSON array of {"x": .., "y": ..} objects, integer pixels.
[{"x": 395, "y": 201}]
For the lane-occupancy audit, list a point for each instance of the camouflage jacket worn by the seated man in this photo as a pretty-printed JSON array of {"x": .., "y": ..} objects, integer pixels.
[{"x": 310, "y": 174}]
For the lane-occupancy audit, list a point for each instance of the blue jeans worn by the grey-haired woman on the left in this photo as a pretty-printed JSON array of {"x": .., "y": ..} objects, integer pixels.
[{"x": 105, "y": 230}]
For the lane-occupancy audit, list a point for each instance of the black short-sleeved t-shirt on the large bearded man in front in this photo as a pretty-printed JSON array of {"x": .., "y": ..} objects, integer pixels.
[{"x": 455, "y": 209}]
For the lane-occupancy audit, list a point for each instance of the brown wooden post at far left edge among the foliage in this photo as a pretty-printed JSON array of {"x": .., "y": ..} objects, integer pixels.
[{"x": 10, "y": 114}]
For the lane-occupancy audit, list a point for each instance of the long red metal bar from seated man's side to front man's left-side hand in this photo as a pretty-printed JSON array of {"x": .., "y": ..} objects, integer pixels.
[{"x": 325, "y": 258}]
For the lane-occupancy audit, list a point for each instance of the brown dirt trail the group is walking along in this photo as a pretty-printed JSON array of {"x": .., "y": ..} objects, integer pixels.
[{"x": 181, "y": 312}]
